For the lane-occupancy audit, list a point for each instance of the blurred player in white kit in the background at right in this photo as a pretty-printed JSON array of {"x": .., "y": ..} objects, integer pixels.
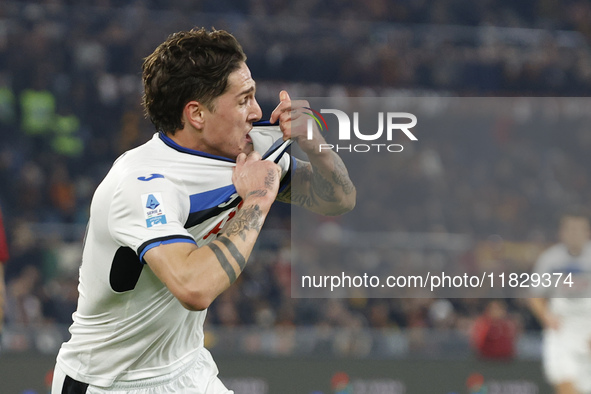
[{"x": 564, "y": 311}]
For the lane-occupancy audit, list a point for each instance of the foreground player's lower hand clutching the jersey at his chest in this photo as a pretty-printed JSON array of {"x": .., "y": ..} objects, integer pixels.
[{"x": 256, "y": 178}]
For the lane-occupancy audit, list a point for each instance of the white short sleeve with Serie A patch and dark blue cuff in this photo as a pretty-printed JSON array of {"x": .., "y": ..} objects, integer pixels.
[{"x": 145, "y": 213}]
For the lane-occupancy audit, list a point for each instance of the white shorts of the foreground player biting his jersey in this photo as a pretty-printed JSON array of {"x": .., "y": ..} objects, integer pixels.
[{"x": 187, "y": 380}]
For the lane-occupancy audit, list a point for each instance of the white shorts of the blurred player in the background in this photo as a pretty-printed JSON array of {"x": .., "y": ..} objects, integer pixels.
[{"x": 567, "y": 357}]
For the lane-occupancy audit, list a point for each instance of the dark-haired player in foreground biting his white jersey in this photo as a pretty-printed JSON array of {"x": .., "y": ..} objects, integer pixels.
[{"x": 173, "y": 223}]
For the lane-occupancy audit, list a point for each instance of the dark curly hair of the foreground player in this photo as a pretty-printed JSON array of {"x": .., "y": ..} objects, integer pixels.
[{"x": 189, "y": 65}]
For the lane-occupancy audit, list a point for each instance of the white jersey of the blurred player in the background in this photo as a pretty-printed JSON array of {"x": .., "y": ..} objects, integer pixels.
[{"x": 569, "y": 300}]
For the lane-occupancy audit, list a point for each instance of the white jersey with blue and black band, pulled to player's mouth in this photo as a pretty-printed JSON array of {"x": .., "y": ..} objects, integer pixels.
[{"x": 128, "y": 325}]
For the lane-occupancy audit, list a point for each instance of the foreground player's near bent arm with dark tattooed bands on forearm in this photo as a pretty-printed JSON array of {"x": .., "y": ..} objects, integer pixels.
[{"x": 196, "y": 276}]
